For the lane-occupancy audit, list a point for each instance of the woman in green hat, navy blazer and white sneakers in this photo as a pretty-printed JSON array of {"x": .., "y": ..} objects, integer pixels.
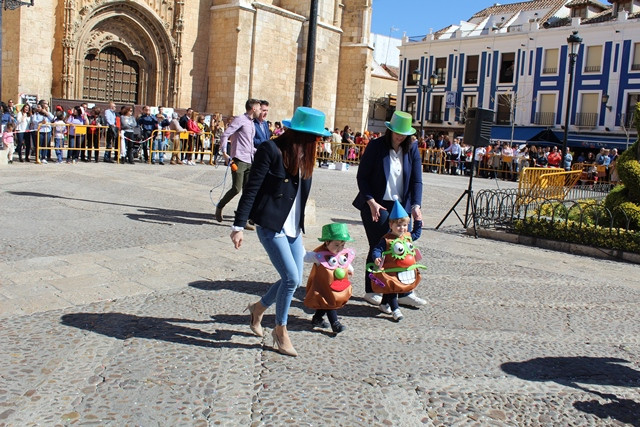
[{"x": 390, "y": 169}]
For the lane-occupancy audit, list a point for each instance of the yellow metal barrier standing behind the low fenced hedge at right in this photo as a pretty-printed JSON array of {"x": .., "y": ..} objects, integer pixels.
[{"x": 545, "y": 183}]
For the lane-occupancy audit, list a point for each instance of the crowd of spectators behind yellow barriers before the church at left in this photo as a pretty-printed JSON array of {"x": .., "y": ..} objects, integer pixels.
[{"x": 81, "y": 133}]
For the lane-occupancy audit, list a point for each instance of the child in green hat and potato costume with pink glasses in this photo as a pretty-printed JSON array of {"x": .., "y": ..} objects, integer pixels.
[{"x": 328, "y": 287}]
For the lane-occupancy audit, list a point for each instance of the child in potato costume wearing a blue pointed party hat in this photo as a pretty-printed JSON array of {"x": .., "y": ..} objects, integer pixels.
[{"x": 395, "y": 269}]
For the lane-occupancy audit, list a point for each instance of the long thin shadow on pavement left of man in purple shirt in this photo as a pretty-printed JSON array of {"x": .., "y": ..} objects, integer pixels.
[{"x": 147, "y": 213}]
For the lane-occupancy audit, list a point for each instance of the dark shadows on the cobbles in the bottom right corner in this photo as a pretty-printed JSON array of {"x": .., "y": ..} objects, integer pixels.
[{"x": 573, "y": 371}]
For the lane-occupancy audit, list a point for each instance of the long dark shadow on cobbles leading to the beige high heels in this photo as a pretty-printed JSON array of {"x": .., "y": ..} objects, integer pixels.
[{"x": 123, "y": 326}]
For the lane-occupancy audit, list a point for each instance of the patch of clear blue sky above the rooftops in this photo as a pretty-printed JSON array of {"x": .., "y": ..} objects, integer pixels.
[{"x": 416, "y": 17}]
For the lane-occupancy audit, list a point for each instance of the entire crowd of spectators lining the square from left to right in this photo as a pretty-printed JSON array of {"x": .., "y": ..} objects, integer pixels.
[{"x": 111, "y": 130}]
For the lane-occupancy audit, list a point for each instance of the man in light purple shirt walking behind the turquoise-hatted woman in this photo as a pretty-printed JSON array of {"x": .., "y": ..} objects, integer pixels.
[{"x": 241, "y": 132}]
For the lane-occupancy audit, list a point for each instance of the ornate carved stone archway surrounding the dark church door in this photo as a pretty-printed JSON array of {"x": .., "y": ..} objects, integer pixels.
[{"x": 135, "y": 30}]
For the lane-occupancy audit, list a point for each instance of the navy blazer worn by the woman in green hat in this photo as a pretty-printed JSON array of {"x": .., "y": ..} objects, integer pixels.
[{"x": 374, "y": 170}]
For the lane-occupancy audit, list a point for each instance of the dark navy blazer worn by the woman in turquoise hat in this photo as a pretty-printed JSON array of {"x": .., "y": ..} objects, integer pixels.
[{"x": 270, "y": 191}]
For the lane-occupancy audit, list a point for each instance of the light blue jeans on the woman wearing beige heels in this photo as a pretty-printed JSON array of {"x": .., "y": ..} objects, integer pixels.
[{"x": 286, "y": 255}]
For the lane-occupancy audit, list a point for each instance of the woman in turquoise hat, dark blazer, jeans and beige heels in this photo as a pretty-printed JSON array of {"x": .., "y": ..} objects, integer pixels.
[{"x": 274, "y": 198}]
